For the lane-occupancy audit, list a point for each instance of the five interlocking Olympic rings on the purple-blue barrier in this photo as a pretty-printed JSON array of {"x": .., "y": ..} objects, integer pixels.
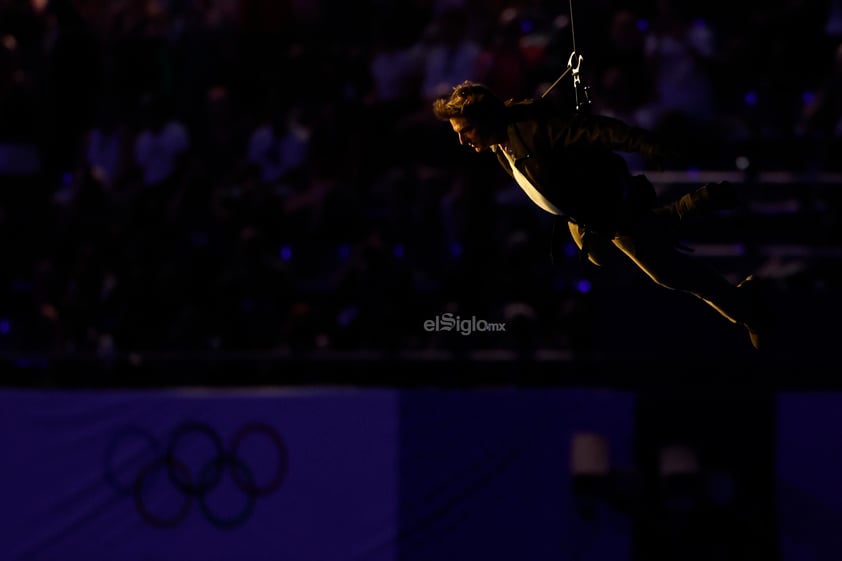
[{"x": 194, "y": 465}]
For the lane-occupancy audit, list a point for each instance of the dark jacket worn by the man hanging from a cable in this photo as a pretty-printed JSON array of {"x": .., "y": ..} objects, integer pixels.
[{"x": 570, "y": 158}]
